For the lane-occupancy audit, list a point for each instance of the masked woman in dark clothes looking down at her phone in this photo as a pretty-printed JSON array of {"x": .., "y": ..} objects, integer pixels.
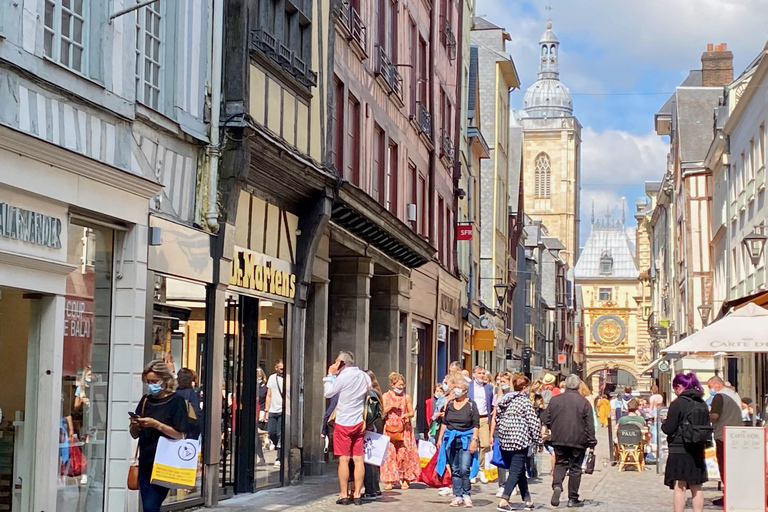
[{"x": 161, "y": 412}]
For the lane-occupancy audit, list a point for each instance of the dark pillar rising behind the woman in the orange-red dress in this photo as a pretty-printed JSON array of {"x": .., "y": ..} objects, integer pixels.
[{"x": 389, "y": 298}]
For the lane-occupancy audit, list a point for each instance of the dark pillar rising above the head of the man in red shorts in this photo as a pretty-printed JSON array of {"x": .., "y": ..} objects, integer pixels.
[{"x": 349, "y": 308}]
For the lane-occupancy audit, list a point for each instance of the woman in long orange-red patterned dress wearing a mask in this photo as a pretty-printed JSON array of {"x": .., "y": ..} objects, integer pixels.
[{"x": 402, "y": 462}]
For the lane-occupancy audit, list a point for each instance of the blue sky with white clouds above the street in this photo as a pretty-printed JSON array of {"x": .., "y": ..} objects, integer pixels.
[{"x": 617, "y": 58}]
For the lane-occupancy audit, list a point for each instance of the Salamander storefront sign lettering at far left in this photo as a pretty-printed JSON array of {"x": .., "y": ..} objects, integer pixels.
[{"x": 30, "y": 227}]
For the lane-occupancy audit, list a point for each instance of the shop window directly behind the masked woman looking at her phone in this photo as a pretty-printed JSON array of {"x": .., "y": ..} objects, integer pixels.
[{"x": 178, "y": 338}]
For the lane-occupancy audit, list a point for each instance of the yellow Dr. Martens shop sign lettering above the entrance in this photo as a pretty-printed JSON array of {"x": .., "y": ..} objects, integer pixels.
[{"x": 259, "y": 272}]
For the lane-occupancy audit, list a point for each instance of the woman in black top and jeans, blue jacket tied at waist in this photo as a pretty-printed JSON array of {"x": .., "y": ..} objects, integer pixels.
[{"x": 458, "y": 442}]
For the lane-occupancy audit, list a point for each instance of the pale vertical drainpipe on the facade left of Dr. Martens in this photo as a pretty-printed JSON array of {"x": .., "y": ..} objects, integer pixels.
[{"x": 213, "y": 149}]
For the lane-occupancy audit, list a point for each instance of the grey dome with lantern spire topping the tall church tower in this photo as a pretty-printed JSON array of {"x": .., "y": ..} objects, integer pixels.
[{"x": 548, "y": 97}]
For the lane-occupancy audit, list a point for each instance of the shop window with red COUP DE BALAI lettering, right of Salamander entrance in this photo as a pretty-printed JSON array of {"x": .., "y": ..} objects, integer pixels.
[{"x": 82, "y": 430}]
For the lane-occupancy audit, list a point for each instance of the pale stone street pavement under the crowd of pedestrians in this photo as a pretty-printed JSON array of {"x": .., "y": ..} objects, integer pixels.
[{"x": 607, "y": 490}]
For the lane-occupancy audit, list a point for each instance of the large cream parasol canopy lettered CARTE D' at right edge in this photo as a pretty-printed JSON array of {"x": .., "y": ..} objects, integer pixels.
[{"x": 743, "y": 330}]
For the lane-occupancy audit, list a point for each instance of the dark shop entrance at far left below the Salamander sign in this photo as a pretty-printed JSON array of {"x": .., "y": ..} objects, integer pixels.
[{"x": 19, "y": 342}]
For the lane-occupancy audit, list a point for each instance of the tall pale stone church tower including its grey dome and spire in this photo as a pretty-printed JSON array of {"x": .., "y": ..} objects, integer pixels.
[{"x": 551, "y": 154}]
